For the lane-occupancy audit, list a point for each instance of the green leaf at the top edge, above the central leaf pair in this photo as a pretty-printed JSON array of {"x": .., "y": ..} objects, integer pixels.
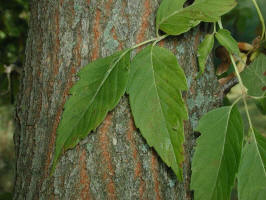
[{"x": 173, "y": 19}]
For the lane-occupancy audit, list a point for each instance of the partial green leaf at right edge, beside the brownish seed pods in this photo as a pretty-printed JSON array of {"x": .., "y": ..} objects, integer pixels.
[{"x": 254, "y": 76}]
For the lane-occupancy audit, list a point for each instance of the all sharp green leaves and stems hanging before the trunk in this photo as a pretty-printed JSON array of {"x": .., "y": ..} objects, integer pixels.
[{"x": 154, "y": 82}]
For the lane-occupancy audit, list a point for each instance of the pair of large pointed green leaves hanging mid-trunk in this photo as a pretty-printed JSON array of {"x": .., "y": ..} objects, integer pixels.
[{"x": 154, "y": 87}]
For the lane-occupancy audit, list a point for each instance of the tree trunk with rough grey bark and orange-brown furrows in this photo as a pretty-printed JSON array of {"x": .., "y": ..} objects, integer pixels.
[{"x": 114, "y": 162}]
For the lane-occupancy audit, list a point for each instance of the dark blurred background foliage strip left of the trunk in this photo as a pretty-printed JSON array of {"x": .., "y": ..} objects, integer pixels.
[{"x": 14, "y": 16}]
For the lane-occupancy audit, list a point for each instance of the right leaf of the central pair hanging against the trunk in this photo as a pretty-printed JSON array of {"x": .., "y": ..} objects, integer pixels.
[{"x": 155, "y": 85}]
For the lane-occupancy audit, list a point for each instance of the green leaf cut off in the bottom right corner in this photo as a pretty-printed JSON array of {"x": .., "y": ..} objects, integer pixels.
[{"x": 252, "y": 173}]
